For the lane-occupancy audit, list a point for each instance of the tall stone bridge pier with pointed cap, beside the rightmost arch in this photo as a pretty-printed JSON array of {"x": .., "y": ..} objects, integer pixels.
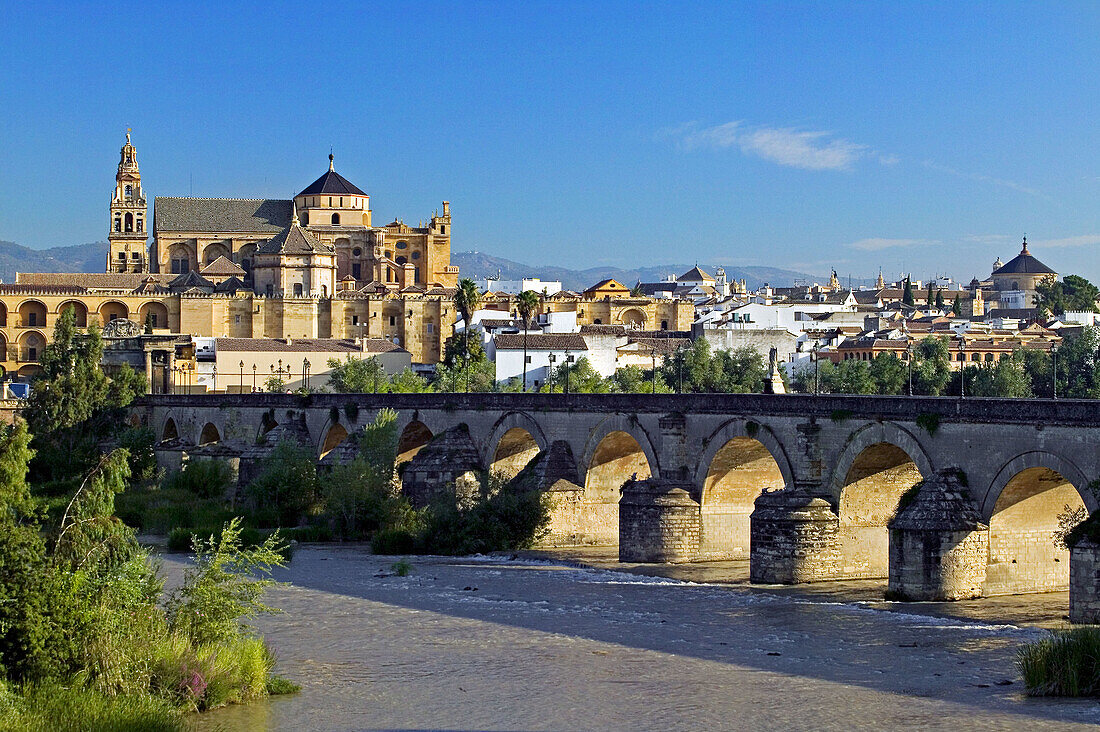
[{"x": 939, "y": 547}]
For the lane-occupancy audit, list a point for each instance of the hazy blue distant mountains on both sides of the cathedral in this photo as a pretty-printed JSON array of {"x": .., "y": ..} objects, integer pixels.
[{"x": 478, "y": 266}]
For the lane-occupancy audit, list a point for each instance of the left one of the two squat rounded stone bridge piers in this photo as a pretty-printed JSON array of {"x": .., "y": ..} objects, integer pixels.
[{"x": 659, "y": 521}]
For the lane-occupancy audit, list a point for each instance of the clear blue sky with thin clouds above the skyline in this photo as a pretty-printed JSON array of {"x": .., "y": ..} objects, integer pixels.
[{"x": 923, "y": 137}]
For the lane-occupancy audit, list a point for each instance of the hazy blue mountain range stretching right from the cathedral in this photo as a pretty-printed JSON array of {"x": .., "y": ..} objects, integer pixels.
[{"x": 479, "y": 266}]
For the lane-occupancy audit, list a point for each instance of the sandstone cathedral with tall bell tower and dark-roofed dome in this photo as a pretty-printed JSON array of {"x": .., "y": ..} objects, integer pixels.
[{"x": 320, "y": 243}]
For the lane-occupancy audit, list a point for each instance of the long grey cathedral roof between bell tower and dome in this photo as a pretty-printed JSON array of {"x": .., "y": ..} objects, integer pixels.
[{"x": 227, "y": 215}]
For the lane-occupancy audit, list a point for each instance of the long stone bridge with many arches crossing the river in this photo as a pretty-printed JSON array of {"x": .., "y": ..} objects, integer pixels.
[{"x": 805, "y": 486}]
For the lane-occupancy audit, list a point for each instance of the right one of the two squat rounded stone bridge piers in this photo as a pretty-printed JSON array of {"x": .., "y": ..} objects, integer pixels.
[{"x": 794, "y": 539}]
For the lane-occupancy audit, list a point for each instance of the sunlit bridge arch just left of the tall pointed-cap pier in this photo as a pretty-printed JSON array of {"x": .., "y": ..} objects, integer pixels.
[{"x": 879, "y": 463}]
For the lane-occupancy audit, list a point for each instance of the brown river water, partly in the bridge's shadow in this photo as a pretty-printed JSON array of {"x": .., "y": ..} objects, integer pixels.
[{"x": 579, "y": 642}]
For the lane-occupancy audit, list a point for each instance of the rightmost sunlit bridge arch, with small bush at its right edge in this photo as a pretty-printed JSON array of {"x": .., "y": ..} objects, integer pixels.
[{"x": 1022, "y": 507}]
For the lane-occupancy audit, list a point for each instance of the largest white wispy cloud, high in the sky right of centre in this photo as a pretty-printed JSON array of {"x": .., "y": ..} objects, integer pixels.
[{"x": 810, "y": 150}]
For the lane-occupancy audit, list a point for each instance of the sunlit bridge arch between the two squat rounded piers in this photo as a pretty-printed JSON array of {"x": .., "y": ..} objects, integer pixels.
[{"x": 739, "y": 463}]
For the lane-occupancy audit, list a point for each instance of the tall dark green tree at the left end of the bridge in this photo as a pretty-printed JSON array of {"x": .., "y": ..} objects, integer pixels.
[{"x": 74, "y": 406}]
